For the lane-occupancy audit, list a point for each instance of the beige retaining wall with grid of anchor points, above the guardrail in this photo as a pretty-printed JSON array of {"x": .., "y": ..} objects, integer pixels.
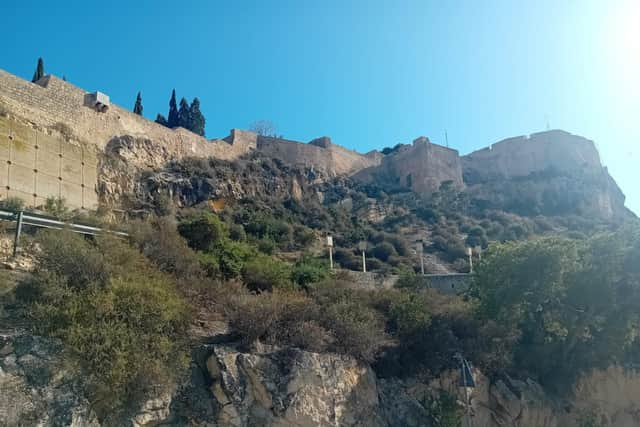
[{"x": 35, "y": 165}]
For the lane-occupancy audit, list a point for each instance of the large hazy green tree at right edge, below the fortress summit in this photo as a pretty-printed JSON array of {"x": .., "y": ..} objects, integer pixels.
[{"x": 573, "y": 303}]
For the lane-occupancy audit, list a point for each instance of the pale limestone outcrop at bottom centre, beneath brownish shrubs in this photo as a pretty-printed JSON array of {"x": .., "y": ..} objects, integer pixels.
[{"x": 292, "y": 388}]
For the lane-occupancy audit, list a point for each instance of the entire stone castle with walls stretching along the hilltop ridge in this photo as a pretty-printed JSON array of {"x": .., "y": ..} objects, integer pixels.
[{"x": 53, "y": 143}]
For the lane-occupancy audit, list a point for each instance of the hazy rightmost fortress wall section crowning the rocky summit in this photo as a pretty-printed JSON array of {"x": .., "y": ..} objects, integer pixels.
[{"x": 521, "y": 156}]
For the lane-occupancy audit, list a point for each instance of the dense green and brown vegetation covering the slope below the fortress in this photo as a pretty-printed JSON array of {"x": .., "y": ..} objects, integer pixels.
[{"x": 553, "y": 297}]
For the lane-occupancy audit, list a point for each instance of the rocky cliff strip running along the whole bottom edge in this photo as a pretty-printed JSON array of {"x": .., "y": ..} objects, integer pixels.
[{"x": 228, "y": 387}]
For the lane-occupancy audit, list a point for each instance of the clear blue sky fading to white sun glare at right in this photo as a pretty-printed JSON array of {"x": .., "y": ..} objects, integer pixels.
[{"x": 367, "y": 73}]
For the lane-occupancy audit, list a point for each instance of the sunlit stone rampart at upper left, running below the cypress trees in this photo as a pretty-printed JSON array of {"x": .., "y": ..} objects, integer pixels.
[{"x": 52, "y": 102}]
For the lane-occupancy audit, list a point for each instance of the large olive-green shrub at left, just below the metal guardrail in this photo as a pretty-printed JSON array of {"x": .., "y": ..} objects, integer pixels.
[{"x": 122, "y": 320}]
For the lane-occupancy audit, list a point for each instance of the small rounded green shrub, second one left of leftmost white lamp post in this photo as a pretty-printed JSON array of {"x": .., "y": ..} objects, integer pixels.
[{"x": 265, "y": 273}]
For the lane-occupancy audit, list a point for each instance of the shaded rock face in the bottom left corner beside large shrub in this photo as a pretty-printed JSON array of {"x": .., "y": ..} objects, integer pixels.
[{"x": 36, "y": 388}]
